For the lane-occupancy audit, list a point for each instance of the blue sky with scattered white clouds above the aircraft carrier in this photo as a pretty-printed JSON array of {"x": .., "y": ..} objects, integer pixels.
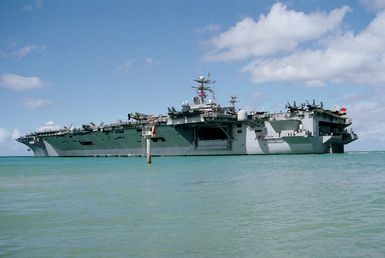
[{"x": 68, "y": 63}]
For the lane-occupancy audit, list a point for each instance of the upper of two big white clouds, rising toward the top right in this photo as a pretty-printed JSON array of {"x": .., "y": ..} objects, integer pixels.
[{"x": 280, "y": 31}]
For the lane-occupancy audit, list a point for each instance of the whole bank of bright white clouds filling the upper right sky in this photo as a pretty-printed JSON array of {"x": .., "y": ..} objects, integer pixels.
[{"x": 311, "y": 49}]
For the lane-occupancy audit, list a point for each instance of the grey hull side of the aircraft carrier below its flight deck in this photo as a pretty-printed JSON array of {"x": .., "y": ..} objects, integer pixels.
[{"x": 171, "y": 142}]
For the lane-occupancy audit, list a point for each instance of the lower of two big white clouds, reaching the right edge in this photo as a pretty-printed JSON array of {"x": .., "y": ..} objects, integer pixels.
[{"x": 351, "y": 58}]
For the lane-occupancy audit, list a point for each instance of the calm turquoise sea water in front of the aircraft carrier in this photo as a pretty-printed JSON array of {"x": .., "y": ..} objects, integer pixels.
[{"x": 238, "y": 206}]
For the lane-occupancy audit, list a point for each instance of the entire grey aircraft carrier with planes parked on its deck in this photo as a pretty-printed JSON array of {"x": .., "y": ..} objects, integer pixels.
[{"x": 204, "y": 128}]
